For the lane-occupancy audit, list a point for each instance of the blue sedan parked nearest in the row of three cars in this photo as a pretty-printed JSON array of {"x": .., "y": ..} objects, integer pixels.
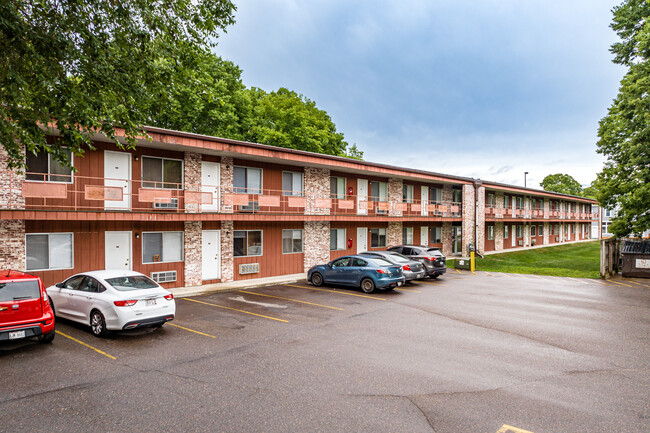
[{"x": 368, "y": 273}]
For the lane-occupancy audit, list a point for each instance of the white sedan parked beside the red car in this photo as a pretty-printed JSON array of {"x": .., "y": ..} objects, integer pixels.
[{"x": 112, "y": 300}]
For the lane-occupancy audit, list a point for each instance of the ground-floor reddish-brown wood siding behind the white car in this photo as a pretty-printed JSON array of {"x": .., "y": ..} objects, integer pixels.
[{"x": 89, "y": 247}]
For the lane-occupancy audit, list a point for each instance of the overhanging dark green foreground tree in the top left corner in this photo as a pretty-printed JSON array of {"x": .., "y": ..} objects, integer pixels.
[{"x": 85, "y": 66}]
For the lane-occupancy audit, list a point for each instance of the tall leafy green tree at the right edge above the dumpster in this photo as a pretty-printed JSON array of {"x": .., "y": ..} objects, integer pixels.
[{"x": 624, "y": 134}]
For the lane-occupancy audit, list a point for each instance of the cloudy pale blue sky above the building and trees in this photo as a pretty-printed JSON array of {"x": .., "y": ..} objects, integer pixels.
[{"x": 482, "y": 88}]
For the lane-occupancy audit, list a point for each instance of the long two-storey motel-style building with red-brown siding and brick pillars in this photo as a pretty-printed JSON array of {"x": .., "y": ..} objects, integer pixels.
[{"x": 188, "y": 210}]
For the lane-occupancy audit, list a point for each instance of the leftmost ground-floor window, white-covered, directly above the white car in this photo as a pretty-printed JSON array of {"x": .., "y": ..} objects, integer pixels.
[{"x": 47, "y": 251}]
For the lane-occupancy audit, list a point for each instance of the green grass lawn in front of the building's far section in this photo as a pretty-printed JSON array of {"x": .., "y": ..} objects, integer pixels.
[{"x": 573, "y": 260}]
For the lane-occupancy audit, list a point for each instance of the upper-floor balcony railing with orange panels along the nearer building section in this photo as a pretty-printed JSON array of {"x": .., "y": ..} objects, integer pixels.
[{"x": 85, "y": 193}]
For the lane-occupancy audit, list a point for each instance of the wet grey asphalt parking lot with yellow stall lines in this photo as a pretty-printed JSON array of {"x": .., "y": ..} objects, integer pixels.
[{"x": 484, "y": 352}]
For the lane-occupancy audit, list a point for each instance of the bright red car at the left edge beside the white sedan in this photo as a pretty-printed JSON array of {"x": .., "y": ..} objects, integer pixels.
[{"x": 25, "y": 309}]
